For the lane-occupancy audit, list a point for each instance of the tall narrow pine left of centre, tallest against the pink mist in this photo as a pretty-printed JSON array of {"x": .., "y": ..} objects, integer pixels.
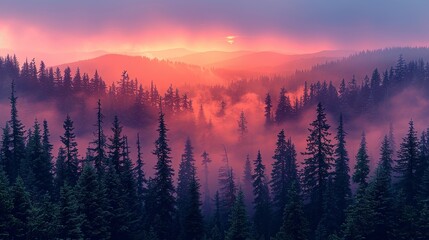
[{"x": 163, "y": 184}]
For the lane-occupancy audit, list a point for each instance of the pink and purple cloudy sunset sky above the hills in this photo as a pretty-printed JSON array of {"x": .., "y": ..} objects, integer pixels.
[{"x": 54, "y": 26}]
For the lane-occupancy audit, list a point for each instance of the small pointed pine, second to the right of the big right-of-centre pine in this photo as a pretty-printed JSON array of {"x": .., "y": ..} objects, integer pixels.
[{"x": 362, "y": 165}]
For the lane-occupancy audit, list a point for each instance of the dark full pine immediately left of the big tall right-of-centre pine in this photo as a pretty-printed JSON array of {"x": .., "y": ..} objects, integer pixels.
[{"x": 283, "y": 174}]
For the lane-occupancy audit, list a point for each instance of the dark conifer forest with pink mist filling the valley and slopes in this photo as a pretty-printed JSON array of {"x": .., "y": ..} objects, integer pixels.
[{"x": 105, "y": 191}]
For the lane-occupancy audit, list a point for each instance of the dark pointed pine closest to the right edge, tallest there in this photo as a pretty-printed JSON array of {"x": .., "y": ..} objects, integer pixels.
[{"x": 408, "y": 163}]
